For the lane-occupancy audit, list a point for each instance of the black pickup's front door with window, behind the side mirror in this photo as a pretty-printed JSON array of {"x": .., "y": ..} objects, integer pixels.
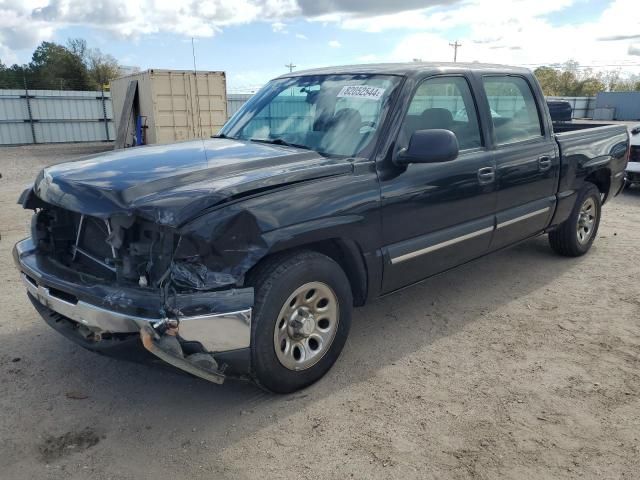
[{"x": 436, "y": 216}]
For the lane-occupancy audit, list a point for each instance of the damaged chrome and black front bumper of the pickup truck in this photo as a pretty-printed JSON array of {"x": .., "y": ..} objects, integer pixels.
[{"x": 210, "y": 337}]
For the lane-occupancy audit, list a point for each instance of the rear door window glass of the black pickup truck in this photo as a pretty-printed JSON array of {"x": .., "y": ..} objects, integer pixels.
[{"x": 513, "y": 109}]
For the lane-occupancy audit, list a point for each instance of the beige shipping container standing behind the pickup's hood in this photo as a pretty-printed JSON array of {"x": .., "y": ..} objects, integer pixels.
[{"x": 178, "y": 104}]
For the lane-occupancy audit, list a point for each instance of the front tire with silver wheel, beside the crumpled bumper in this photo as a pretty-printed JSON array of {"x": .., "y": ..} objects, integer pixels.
[{"x": 279, "y": 323}]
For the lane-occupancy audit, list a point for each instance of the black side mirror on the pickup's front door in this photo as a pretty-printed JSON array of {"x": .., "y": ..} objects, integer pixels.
[{"x": 429, "y": 146}]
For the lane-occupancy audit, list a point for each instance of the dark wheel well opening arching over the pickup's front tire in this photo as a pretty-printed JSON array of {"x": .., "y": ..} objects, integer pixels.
[{"x": 345, "y": 253}]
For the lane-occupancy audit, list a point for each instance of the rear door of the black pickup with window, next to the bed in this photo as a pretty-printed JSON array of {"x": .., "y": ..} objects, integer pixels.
[{"x": 527, "y": 159}]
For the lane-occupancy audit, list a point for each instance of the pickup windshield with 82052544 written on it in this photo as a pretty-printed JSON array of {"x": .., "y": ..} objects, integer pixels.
[{"x": 331, "y": 114}]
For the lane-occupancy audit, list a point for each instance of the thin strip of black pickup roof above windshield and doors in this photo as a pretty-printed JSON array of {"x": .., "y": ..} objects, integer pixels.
[{"x": 410, "y": 68}]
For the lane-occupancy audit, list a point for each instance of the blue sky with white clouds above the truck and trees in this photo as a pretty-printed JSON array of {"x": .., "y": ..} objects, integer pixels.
[{"x": 252, "y": 40}]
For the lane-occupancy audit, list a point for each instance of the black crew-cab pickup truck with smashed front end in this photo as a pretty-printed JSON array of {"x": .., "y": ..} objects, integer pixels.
[{"x": 243, "y": 255}]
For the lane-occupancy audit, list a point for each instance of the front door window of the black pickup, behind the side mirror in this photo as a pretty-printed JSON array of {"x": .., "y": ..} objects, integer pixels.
[{"x": 446, "y": 103}]
